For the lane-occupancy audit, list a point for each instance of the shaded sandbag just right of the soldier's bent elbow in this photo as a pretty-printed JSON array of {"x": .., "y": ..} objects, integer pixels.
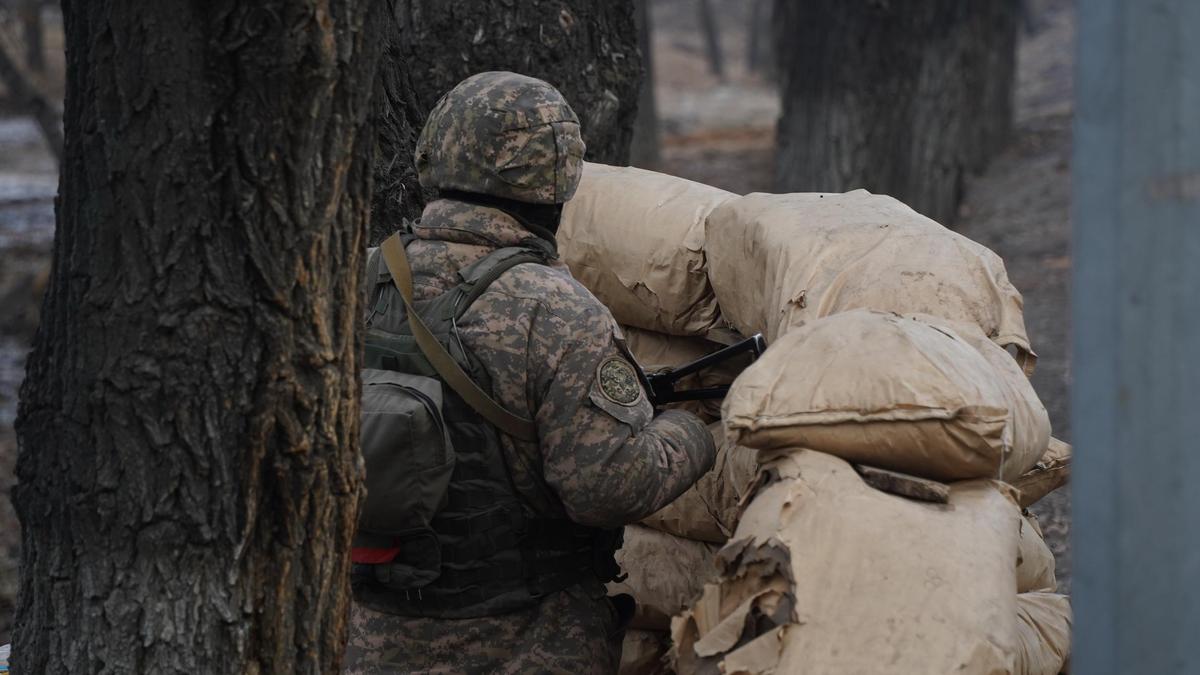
[{"x": 709, "y": 511}]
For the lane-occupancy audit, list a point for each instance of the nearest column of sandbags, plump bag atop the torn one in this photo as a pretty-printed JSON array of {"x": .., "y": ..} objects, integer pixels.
[{"x": 826, "y": 574}]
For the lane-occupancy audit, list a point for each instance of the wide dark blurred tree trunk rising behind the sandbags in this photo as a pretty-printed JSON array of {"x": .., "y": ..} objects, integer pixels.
[{"x": 897, "y": 98}]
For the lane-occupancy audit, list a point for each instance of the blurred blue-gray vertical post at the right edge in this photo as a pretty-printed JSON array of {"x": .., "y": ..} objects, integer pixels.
[{"x": 1136, "y": 403}]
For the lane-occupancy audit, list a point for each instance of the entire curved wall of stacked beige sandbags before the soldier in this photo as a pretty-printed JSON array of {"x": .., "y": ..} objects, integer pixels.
[{"x": 820, "y": 571}]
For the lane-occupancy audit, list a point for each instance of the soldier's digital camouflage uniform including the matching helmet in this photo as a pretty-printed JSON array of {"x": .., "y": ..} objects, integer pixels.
[{"x": 554, "y": 355}]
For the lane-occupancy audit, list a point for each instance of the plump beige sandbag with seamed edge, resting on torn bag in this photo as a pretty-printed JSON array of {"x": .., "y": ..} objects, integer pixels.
[{"x": 892, "y": 392}]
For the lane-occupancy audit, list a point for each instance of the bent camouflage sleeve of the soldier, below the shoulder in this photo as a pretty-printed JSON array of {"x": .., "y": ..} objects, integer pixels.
[{"x": 608, "y": 458}]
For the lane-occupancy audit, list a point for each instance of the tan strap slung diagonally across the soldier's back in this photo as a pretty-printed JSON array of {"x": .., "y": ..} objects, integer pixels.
[{"x": 394, "y": 256}]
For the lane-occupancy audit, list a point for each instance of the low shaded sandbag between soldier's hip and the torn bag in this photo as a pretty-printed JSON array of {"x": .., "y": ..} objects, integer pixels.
[{"x": 665, "y": 575}]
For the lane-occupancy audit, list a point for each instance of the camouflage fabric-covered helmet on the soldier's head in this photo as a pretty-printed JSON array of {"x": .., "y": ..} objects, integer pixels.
[{"x": 505, "y": 135}]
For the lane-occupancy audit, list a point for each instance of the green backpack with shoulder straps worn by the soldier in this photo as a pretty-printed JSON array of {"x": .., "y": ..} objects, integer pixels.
[{"x": 407, "y": 441}]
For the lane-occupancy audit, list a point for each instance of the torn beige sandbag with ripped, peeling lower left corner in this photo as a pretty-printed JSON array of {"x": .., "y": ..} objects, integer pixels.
[{"x": 829, "y": 576}]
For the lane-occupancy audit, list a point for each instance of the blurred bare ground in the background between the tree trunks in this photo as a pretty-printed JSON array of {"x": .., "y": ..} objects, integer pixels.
[{"x": 717, "y": 133}]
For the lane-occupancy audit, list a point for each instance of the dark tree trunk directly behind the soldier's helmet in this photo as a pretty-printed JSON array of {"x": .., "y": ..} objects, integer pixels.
[{"x": 585, "y": 49}]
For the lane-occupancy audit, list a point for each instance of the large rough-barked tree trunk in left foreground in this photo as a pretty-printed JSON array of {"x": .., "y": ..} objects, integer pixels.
[{"x": 189, "y": 470}]
